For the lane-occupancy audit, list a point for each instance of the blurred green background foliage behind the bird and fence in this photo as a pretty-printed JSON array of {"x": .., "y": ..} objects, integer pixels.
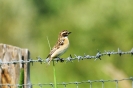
[{"x": 95, "y": 25}]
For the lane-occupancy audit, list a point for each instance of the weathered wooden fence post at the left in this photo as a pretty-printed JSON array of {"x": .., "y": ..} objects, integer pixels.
[{"x": 10, "y": 73}]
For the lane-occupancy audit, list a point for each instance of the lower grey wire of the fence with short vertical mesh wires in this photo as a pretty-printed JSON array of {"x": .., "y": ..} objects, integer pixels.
[{"x": 65, "y": 84}]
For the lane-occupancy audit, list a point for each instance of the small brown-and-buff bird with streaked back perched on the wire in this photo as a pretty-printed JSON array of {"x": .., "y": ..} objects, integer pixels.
[{"x": 60, "y": 47}]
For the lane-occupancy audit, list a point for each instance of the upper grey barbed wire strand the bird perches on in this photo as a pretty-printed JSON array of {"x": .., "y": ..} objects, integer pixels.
[{"x": 70, "y": 58}]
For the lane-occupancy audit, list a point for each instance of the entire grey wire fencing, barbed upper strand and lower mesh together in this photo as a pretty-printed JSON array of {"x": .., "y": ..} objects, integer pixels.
[{"x": 98, "y": 55}]
